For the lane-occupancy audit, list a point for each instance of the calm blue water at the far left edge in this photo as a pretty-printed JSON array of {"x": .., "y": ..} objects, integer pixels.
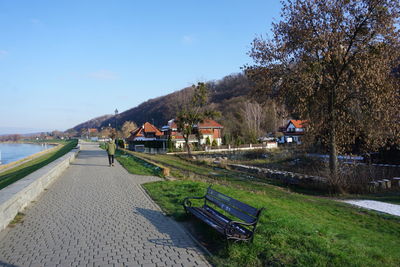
[{"x": 14, "y": 152}]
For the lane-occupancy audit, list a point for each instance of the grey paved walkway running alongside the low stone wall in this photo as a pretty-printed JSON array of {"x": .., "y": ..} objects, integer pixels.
[{"x": 95, "y": 215}]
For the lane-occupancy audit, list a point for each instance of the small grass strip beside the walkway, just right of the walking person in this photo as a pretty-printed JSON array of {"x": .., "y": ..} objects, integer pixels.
[{"x": 137, "y": 166}]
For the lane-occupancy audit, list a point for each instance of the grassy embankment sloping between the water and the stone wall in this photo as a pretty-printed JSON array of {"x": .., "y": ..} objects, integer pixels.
[{"x": 14, "y": 174}]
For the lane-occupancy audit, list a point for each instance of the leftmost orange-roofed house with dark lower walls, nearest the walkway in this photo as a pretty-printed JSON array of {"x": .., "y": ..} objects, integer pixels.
[{"x": 147, "y": 138}]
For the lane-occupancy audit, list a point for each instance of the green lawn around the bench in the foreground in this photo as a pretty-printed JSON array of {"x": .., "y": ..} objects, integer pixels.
[{"x": 295, "y": 229}]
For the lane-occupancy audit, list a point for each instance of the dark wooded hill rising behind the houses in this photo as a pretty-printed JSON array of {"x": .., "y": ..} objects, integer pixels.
[{"x": 226, "y": 96}]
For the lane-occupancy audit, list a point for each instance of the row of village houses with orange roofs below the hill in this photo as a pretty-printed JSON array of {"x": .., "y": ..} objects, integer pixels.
[{"x": 150, "y": 139}]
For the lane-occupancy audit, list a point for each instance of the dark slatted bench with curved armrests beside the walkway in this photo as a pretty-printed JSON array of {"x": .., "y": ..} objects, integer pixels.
[{"x": 242, "y": 229}]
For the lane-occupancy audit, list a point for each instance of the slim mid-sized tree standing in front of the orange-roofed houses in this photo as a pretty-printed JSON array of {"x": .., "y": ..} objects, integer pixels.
[{"x": 192, "y": 111}]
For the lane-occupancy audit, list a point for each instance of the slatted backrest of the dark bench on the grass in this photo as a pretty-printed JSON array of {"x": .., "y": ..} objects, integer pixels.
[{"x": 236, "y": 208}]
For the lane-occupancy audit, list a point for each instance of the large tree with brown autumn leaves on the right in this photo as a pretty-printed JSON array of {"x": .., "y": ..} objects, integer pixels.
[{"x": 331, "y": 62}]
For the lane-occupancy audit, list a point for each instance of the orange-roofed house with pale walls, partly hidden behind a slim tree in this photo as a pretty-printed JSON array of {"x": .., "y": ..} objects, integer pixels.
[{"x": 209, "y": 130}]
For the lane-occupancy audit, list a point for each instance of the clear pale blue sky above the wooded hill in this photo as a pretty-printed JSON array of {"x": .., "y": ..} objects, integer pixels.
[{"x": 65, "y": 62}]
